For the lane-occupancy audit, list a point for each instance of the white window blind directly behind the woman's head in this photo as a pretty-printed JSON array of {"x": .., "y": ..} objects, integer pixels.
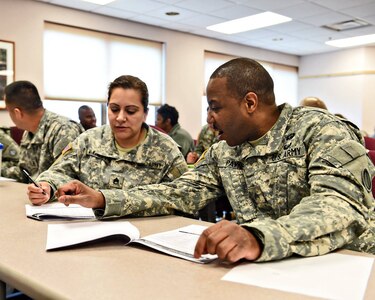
[{"x": 79, "y": 64}]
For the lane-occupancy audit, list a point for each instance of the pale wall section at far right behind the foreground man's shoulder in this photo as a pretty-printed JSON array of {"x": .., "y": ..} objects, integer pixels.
[{"x": 345, "y": 81}]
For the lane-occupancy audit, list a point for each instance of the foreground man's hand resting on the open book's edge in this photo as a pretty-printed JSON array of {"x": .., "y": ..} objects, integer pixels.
[{"x": 229, "y": 241}]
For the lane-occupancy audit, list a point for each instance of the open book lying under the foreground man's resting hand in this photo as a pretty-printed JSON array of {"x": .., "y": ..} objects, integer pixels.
[{"x": 179, "y": 242}]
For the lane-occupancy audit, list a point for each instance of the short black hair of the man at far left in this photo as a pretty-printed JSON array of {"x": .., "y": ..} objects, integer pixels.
[{"x": 24, "y": 95}]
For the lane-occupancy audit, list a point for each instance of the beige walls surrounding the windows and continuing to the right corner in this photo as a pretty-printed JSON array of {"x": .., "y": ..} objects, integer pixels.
[{"x": 325, "y": 75}]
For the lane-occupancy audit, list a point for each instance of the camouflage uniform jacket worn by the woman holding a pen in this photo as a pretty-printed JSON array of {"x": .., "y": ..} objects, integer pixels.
[{"x": 94, "y": 160}]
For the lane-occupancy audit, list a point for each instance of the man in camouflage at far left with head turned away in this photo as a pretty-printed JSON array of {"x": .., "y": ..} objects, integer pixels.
[{"x": 46, "y": 133}]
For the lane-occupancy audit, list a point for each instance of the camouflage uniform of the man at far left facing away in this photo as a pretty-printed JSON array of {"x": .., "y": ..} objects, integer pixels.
[{"x": 40, "y": 150}]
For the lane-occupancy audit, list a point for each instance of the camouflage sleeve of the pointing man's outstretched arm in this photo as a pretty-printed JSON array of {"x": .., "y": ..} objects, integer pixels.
[{"x": 200, "y": 185}]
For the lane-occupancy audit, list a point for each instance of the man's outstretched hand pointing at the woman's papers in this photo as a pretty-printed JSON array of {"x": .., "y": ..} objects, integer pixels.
[{"x": 79, "y": 193}]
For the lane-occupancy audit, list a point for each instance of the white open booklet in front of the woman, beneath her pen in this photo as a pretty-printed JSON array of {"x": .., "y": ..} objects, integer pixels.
[{"x": 58, "y": 211}]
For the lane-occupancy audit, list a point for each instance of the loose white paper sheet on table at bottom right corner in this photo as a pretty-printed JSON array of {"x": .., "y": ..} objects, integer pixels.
[{"x": 332, "y": 276}]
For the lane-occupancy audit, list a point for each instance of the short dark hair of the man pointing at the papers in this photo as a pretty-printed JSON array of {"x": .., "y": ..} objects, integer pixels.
[{"x": 246, "y": 75}]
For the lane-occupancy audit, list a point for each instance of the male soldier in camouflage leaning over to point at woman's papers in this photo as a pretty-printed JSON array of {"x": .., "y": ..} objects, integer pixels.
[{"x": 298, "y": 179}]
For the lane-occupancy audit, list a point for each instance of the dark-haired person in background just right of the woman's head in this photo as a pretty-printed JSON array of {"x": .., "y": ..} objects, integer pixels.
[{"x": 167, "y": 119}]
